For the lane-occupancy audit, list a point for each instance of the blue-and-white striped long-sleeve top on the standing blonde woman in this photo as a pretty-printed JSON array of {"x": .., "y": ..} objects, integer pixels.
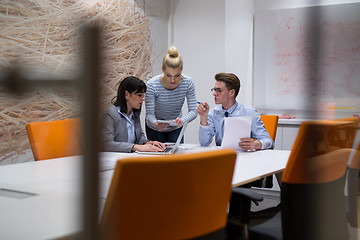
[{"x": 164, "y": 104}]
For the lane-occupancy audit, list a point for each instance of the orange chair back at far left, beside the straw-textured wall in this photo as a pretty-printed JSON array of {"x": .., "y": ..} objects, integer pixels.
[{"x": 54, "y": 139}]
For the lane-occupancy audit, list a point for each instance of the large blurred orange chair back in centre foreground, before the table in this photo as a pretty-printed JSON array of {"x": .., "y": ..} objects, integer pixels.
[{"x": 179, "y": 196}]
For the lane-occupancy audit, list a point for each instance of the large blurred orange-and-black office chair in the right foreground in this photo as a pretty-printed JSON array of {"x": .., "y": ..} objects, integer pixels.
[{"x": 313, "y": 204}]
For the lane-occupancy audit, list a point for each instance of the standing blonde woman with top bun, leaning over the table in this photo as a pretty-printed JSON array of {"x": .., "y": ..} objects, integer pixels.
[{"x": 165, "y": 97}]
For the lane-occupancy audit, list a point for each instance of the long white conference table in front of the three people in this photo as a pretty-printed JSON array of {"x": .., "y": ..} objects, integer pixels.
[{"x": 54, "y": 209}]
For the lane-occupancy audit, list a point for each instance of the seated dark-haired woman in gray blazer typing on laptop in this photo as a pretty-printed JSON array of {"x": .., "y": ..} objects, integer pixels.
[{"x": 121, "y": 130}]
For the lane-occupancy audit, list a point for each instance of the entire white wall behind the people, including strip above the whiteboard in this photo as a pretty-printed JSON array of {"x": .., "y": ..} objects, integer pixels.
[{"x": 212, "y": 37}]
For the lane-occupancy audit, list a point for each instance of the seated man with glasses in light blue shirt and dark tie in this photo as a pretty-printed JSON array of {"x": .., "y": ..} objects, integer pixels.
[{"x": 226, "y": 89}]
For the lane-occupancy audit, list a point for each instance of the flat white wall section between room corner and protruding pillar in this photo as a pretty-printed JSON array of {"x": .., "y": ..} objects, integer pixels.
[{"x": 199, "y": 35}]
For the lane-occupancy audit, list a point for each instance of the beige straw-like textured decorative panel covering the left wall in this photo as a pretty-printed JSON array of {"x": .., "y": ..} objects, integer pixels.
[{"x": 43, "y": 37}]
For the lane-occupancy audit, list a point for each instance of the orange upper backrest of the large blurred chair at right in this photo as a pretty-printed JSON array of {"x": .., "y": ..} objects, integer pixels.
[{"x": 315, "y": 142}]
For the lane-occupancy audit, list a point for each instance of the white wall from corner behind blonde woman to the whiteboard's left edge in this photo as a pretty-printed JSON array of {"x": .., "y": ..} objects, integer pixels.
[{"x": 213, "y": 37}]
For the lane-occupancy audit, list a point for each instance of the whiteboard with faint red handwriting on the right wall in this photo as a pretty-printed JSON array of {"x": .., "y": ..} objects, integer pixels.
[{"x": 290, "y": 73}]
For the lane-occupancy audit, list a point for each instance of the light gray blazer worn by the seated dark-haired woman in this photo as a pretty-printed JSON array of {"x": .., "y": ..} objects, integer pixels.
[{"x": 114, "y": 131}]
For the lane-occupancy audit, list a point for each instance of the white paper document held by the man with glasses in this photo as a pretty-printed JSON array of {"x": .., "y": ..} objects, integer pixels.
[{"x": 234, "y": 129}]
